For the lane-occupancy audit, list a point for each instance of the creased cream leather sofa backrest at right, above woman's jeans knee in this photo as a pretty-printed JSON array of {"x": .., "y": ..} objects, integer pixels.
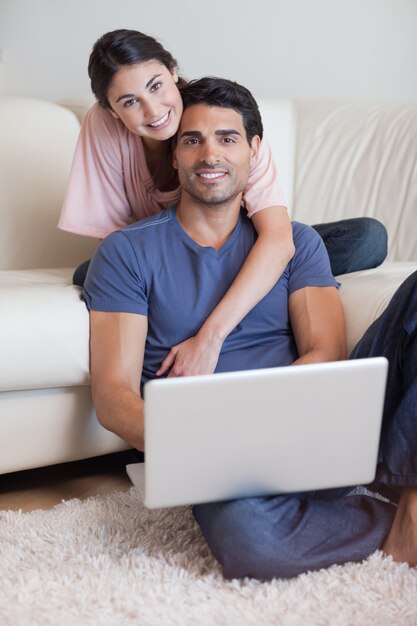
[{"x": 351, "y": 160}]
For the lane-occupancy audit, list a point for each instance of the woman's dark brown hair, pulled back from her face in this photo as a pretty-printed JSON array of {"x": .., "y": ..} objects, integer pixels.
[{"x": 119, "y": 48}]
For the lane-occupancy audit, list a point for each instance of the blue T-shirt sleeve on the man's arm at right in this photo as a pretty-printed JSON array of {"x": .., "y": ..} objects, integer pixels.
[{"x": 310, "y": 266}]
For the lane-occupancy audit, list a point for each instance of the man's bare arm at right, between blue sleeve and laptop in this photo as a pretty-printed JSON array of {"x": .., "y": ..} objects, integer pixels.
[{"x": 318, "y": 323}]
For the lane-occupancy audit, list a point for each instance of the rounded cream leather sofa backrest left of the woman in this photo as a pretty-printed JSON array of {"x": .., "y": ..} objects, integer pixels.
[{"x": 37, "y": 141}]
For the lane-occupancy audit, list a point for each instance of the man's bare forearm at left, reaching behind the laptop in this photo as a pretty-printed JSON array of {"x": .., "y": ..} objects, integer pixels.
[{"x": 120, "y": 410}]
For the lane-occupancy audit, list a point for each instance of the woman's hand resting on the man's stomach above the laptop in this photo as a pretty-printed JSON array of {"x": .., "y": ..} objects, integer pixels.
[{"x": 197, "y": 355}]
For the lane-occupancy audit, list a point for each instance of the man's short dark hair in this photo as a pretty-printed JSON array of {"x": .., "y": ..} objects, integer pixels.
[{"x": 227, "y": 94}]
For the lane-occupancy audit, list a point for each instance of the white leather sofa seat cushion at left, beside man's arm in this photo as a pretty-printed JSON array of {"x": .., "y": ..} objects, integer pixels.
[{"x": 44, "y": 330}]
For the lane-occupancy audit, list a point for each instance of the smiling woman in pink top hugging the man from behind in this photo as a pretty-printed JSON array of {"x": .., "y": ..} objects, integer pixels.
[{"x": 123, "y": 171}]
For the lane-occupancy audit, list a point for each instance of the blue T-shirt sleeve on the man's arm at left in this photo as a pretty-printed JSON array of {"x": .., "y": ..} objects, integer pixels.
[{"x": 114, "y": 282}]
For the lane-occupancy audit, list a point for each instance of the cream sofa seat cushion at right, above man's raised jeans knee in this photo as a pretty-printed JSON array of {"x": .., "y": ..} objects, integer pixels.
[{"x": 366, "y": 294}]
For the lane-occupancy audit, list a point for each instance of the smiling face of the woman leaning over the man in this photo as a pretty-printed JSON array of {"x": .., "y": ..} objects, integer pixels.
[{"x": 146, "y": 99}]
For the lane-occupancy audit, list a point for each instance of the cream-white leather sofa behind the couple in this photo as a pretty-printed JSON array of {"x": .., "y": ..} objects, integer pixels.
[{"x": 335, "y": 161}]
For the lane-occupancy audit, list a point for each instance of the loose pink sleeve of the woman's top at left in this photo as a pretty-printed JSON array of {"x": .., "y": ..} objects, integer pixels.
[{"x": 96, "y": 203}]
